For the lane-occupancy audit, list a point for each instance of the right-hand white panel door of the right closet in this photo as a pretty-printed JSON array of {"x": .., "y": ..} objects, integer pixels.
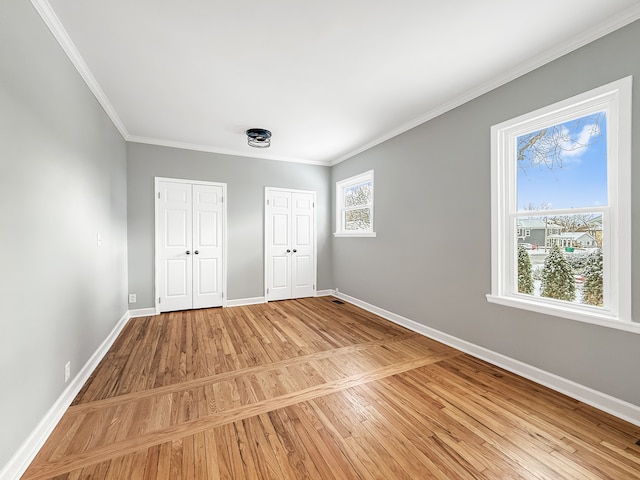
[{"x": 303, "y": 245}]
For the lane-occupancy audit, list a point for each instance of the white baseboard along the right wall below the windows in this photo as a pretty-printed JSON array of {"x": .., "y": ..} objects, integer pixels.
[{"x": 602, "y": 401}]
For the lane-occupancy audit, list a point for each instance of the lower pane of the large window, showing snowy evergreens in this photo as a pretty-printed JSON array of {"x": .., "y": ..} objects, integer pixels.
[{"x": 561, "y": 258}]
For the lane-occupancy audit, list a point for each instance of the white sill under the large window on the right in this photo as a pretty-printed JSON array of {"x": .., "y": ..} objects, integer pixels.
[{"x": 566, "y": 312}]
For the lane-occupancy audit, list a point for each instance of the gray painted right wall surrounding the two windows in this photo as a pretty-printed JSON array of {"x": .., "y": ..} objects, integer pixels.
[{"x": 432, "y": 189}]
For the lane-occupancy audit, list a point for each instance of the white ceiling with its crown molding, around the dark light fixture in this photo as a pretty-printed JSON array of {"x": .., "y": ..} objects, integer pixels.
[{"x": 329, "y": 78}]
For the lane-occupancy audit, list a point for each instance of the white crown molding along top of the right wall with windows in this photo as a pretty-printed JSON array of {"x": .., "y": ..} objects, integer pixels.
[{"x": 612, "y": 24}]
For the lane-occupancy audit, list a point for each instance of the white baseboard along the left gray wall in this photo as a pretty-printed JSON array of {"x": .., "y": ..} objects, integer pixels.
[{"x": 18, "y": 464}]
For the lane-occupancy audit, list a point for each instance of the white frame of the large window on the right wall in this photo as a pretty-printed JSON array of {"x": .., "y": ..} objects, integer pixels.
[{"x": 615, "y": 99}]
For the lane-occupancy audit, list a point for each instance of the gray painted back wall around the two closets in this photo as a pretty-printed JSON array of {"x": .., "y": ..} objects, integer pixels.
[{"x": 246, "y": 179}]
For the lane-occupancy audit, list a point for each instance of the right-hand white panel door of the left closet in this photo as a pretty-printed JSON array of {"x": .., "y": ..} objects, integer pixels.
[{"x": 207, "y": 246}]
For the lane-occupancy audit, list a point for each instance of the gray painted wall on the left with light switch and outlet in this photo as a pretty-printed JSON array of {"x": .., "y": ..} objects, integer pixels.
[{"x": 62, "y": 180}]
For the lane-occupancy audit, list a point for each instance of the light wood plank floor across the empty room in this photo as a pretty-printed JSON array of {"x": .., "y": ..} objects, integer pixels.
[{"x": 313, "y": 389}]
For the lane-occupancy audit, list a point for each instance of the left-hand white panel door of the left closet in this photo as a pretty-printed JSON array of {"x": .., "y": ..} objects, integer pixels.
[{"x": 174, "y": 255}]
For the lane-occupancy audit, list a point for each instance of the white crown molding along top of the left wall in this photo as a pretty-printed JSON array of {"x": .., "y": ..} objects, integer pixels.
[{"x": 59, "y": 32}]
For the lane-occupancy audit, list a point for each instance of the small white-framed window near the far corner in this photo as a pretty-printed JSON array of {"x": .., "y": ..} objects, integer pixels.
[{"x": 354, "y": 206}]
